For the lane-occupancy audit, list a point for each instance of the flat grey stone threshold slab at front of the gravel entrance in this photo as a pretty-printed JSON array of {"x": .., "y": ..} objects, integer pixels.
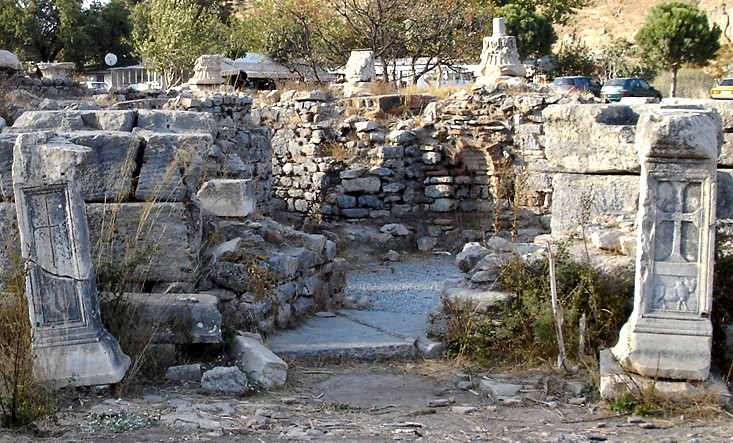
[{"x": 333, "y": 338}]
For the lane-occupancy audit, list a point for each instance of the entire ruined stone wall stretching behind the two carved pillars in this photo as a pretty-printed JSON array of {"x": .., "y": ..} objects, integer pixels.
[{"x": 221, "y": 185}]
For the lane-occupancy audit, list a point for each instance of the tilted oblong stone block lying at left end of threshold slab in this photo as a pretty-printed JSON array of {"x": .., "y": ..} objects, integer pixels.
[{"x": 258, "y": 362}]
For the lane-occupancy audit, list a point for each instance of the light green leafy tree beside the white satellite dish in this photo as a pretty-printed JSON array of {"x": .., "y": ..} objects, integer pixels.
[{"x": 171, "y": 34}]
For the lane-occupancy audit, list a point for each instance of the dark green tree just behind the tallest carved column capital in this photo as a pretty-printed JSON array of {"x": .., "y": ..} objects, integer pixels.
[{"x": 534, "y": 33}]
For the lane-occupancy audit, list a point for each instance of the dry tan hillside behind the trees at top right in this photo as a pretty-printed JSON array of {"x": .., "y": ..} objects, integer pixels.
[{"x": 603, "y": 19}]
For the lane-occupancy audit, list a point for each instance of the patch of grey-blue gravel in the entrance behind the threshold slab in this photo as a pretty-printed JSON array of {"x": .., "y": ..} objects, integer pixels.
[{"x": 409, "y": 286}]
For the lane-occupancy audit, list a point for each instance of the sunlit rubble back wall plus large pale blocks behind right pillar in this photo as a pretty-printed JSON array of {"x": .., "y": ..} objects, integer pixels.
[{"x": 484, "y": 160}]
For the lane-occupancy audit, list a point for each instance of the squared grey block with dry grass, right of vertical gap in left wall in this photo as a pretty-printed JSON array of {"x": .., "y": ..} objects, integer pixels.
[{"x": 172, "y": 166}]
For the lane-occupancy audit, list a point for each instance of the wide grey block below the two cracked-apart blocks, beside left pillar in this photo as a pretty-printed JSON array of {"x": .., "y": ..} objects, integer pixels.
[{"x": 164, "y": 237}]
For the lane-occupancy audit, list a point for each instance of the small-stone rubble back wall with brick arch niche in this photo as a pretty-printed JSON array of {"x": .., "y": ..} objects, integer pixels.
[{"x": 453, "y": 173}]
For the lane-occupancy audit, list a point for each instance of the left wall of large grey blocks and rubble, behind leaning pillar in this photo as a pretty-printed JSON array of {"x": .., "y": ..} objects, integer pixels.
[{"x": 146, "y": 221}]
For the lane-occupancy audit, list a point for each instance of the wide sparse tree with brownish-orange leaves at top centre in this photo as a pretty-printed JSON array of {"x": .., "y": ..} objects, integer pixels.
[{"x": 325, "y": 31}]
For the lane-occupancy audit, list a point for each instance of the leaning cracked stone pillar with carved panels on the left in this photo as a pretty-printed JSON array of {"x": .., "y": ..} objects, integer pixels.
[{"x": 70, "y": 344}]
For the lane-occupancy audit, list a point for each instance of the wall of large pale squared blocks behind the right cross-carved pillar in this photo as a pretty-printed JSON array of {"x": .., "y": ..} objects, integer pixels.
[{"x": 594, "y": 164}]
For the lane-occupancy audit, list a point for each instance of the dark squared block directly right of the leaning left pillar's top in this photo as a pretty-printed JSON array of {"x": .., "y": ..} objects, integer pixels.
[{"x": 107, "y": 177}]
